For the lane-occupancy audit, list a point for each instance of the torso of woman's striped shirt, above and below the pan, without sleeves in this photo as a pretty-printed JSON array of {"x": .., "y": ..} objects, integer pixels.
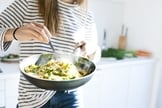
[{"x": 71, "y": 31}]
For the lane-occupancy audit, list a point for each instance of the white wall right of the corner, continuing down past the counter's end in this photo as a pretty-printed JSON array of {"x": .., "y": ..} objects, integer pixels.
[{"x": 144, "y": 19}]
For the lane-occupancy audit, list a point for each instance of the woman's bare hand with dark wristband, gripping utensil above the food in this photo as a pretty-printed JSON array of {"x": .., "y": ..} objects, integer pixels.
[{"x": 32, "y": 31}]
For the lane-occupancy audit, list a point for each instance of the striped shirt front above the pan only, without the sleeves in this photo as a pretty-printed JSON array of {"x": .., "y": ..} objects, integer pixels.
[{"x": 70, "y": 31}]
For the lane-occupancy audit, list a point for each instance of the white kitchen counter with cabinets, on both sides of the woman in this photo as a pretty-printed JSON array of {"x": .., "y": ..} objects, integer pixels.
[{"x": 126, "y": 82}]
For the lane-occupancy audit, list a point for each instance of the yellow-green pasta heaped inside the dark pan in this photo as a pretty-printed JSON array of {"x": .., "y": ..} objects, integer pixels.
[{"x": 54, "y": 70}]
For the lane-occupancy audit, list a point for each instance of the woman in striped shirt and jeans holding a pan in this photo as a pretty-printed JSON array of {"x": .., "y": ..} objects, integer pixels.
[{"x": 33, "y": 23}]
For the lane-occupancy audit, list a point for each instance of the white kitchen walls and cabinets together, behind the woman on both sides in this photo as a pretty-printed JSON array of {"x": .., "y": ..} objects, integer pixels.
[{"x": 128, "y": 83}]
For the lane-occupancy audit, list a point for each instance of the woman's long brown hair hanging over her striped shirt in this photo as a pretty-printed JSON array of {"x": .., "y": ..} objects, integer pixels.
[{"x": 48, "y": 9}]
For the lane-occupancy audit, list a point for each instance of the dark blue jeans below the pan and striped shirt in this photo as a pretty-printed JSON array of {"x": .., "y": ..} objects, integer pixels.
[{"x": 64, "y": 99}]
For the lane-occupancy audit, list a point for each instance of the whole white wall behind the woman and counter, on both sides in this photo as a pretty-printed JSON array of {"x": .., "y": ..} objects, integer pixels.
[{"x": 143, "y": 22}]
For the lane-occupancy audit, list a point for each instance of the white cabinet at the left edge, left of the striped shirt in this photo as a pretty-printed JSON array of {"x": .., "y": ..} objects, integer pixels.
[{"x": 9, "y": 85}]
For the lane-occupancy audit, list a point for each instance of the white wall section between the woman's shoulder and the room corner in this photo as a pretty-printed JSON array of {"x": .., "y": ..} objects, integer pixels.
[{"x": 108, "y": 15}]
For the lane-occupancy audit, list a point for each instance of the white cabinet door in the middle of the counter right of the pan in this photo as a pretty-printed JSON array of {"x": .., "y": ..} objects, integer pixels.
[{"x": 114, "y": 87}]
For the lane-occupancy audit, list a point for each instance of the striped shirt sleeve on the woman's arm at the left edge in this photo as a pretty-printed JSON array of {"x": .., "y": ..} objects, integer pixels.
[{"x": 11, "y": 17}]
